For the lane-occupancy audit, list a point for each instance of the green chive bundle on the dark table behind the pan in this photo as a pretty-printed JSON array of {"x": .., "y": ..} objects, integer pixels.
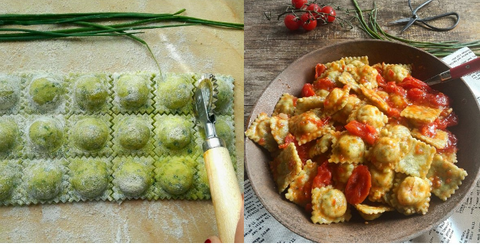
[{"x": 440, "y": 49}]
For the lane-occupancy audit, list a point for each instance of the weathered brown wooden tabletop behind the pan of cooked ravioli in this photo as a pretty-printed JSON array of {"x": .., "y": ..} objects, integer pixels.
[{"x": 270, "y": 47}]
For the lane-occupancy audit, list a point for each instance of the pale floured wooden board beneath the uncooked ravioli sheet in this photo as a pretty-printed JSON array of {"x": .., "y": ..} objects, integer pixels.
[{"x": 185, "y": 49}]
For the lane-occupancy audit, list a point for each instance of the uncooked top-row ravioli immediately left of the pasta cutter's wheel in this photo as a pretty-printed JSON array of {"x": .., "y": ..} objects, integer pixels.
[{"x": 174, "y": 93}]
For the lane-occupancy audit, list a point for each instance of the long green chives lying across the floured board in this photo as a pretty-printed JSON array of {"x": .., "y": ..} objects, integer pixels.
[{"x": 87, "y": 25}]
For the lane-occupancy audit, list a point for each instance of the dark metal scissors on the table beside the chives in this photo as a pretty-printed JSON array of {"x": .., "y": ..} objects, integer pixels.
[{"x": 415, "y": 18}]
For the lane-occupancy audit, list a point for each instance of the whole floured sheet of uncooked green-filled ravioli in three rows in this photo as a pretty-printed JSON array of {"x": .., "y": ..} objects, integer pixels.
[{"x": 105, "y": 137}]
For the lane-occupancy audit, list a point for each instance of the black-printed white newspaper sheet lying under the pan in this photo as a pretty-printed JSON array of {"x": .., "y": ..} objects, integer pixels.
[{"x": 463, "y": 226}]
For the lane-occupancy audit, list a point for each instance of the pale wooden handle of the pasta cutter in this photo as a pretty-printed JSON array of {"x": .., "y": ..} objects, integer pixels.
[{"x": 225, "y": 192}]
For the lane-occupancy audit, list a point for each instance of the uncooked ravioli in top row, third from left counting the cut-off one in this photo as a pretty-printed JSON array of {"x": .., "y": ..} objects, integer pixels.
[{"x": 90, "y": 93}]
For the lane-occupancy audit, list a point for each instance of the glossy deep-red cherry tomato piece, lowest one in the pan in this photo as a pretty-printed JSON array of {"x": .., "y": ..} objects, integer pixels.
[{"x": 358, "y": 185}]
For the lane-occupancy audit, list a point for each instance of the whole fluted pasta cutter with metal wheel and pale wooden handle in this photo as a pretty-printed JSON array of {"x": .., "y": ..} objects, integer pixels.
[{"x": 224, "y": 188}]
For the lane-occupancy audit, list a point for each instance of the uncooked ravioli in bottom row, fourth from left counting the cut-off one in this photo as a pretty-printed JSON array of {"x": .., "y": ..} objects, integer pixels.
[{"x": 133, "y": 178}]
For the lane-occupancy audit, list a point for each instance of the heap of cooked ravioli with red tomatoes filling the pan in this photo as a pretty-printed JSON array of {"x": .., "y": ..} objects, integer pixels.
[{"x": 378, "y": 148}]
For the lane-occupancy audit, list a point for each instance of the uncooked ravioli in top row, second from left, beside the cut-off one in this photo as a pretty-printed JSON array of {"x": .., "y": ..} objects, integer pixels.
[{"x": 45, "y": 93}]
